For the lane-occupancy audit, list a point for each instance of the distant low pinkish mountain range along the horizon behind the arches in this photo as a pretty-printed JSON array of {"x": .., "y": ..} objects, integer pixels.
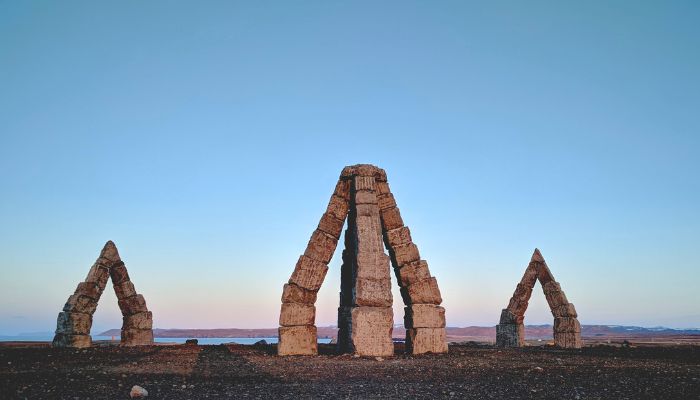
[{"x": 470, "y": 332}]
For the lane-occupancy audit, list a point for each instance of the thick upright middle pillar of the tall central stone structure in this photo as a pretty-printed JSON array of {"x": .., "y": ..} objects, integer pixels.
[{"x": 365, "y": 316}]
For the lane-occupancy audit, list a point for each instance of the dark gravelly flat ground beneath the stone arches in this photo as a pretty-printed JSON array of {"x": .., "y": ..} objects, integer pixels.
[{"x": 234, "y": 371}]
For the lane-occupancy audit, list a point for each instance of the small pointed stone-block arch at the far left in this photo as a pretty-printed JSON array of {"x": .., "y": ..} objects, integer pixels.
[{"x": 74, "y": 322}]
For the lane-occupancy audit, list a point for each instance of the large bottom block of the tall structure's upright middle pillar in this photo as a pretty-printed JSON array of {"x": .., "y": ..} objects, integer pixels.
[{"x": 371, "y": 331}]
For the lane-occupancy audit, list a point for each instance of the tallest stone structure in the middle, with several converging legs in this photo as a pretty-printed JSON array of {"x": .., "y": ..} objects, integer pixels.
[{"x": 365, "y": 316}]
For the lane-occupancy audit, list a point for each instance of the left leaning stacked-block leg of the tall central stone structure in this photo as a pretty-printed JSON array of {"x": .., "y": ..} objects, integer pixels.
[{"x": 297, "y": 332}]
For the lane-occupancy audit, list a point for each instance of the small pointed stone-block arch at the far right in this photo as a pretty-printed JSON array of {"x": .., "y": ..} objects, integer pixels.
[{"x": 510, "y": 332}]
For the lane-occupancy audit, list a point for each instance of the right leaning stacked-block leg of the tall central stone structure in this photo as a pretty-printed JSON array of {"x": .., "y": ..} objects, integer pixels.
[{"x": 424, "y": 319}]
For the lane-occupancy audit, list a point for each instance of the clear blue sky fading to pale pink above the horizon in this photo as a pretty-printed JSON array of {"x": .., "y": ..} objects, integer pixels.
[{"x": 205, "y": 139}]
